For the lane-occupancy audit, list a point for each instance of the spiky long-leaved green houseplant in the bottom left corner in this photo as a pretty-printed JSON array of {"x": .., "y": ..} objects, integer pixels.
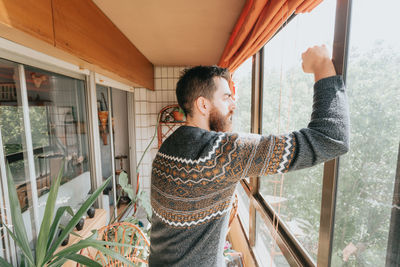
[{"x": 48, "y": 240}]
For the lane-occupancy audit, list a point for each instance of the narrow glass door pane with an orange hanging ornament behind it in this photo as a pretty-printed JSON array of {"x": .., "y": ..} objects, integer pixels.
[{"x": 103, "y": 109}]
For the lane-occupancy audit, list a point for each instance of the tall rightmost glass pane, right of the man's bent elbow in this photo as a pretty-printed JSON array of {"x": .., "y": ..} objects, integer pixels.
[{"x": 367, "y": 172}]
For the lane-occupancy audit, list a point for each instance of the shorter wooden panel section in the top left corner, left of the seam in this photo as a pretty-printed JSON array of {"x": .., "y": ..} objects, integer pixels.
[{"x": 31, "y": 16}]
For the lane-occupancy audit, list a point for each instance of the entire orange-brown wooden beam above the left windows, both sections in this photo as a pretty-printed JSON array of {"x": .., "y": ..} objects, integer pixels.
[{"x": 78, "y": 28}]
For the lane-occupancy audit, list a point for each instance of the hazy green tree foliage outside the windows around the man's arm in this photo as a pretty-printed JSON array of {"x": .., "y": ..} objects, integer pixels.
[{"x": 367, "y": 172}]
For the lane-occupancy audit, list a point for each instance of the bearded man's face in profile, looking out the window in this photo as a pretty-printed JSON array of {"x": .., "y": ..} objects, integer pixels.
[{"x": 220, "y": 119}]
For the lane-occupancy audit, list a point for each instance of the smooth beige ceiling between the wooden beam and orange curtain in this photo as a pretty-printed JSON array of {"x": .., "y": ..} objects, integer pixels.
[{"x": 175, "y": 32}]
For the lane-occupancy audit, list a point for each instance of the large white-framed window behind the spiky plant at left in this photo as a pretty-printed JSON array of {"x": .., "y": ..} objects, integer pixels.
[{"x": 56, "y": 112}]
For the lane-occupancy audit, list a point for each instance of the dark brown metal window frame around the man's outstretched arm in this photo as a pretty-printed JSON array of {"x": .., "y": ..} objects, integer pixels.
[{"x": 291, "y": 248}]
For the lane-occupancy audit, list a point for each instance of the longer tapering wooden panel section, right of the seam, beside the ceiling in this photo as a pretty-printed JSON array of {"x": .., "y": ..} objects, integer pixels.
[{"x": 83, "y": 30}]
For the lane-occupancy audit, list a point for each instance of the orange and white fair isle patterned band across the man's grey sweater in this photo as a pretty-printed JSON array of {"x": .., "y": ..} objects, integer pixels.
[{"x": 188, "y": 192}]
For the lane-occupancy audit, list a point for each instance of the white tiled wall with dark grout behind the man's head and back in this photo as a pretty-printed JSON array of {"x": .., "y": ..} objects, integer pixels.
[{"x": 148, "y": 103}]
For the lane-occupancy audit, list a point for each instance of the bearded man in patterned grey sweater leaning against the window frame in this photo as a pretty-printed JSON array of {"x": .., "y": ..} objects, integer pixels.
[{"x": 198, "y": 167}]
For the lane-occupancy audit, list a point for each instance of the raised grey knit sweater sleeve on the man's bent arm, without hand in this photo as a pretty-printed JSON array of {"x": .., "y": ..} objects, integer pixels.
[{"x": 326, "y": 137}]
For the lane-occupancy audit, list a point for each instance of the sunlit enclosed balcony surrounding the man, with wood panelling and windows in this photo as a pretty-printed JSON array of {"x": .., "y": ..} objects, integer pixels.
[{"x": 89, "y": 87}]
